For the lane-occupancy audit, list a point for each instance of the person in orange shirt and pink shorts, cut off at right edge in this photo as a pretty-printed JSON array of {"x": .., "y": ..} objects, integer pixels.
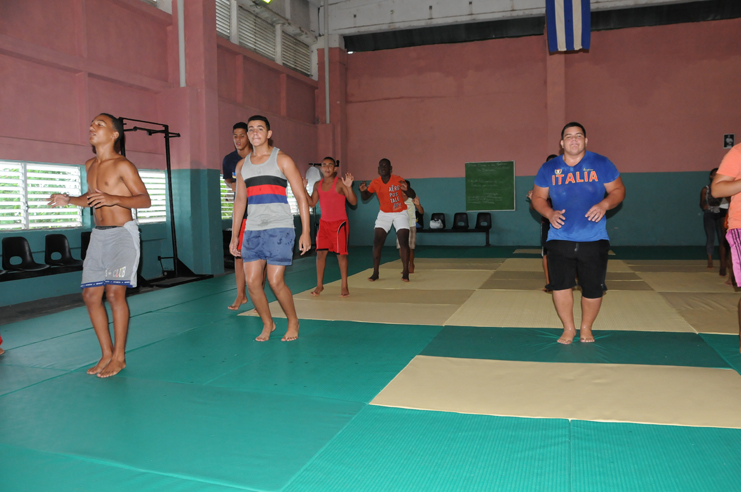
[{"x": 727, "y": 183}]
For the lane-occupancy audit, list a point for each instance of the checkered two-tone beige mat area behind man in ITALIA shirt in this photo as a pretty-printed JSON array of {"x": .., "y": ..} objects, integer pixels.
[{"x": 492, "y": 292}]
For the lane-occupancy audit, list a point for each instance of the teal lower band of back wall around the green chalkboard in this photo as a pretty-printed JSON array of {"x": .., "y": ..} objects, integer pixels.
[{"x": 660, "y": 209}]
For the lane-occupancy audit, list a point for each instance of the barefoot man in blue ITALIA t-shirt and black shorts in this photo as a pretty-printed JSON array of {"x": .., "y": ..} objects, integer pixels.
[{"x": 577, "y": 243}]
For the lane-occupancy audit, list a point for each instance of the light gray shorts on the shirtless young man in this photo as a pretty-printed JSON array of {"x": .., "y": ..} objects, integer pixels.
[{"x": 112, "y": 257}]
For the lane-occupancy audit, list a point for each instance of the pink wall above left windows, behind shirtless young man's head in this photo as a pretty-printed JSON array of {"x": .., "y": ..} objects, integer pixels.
[{"x": 64, "y": 62}]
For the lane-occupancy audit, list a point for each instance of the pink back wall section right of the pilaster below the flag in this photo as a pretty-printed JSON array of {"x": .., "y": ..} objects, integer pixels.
[{"x": 663, "y": 108}]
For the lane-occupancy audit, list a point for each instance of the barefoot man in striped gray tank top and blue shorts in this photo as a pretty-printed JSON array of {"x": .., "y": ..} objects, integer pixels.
[{"x": 264, "y": 175}]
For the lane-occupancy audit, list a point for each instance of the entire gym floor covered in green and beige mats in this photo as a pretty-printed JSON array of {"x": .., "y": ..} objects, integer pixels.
[{"x": 453, "y": 382}]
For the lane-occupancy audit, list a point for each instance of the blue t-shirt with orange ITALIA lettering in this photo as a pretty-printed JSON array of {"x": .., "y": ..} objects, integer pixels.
[{"x": 576, "y": 190}]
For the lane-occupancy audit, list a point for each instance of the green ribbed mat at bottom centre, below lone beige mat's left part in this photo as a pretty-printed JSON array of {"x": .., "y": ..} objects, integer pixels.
[{"x": 437, "y": 451}]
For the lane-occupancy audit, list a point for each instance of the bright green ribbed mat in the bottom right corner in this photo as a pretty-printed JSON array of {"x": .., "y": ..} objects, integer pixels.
[{"x": 608, "y": 457}]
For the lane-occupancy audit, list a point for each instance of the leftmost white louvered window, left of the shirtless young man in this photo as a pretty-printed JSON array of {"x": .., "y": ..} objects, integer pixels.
[{"x": 25, "y": 189}]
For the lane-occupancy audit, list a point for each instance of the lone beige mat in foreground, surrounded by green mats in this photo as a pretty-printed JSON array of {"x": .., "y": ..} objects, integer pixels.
[{"x": 670, "y": 395}]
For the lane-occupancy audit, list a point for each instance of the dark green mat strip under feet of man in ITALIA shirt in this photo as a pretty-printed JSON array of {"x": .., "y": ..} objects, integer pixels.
[{"x": 540, "y": 345}]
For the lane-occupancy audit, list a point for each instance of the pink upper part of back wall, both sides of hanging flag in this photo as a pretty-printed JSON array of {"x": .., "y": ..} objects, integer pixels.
[{"x": 430, "y": 109}]
